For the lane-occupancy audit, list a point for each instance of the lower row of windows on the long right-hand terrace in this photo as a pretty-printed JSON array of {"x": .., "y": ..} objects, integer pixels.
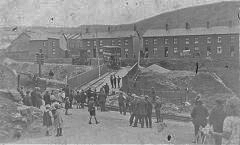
[{"x": 209, "y": 51}]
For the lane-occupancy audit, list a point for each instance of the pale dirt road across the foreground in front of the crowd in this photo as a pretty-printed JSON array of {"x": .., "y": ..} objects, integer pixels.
[{"x": 113, "y": 128}]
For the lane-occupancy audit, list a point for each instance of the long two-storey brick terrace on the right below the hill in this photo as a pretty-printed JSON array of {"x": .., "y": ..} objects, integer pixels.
[{"x": 218, "y": 42}]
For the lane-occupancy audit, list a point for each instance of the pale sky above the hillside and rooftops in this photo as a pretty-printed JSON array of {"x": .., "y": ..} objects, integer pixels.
[{"x": 72, "y": 13}]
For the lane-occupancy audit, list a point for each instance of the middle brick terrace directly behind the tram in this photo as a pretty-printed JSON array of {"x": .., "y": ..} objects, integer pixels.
[{"x": 91, "y": 42}]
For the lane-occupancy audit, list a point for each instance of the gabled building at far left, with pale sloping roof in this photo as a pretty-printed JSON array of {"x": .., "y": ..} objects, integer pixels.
[{"x": 27, "y": 44}]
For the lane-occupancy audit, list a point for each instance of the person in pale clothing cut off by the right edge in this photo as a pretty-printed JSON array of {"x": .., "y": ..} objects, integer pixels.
[{"x": 231, "y": 125}]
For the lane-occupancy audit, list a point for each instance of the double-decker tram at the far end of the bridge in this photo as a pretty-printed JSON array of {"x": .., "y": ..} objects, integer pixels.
[{"x": 112, "y": 56}]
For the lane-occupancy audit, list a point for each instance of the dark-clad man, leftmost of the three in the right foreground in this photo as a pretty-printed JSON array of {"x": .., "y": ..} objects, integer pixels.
[{"x": 199, "y": 116}]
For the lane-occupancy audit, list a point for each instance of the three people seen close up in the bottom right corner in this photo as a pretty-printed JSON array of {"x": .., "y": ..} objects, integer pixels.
[{"x": 224, "y": 119}]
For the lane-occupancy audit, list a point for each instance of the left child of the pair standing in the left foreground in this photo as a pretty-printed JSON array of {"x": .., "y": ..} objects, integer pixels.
[{"x": 47, "y": 119}]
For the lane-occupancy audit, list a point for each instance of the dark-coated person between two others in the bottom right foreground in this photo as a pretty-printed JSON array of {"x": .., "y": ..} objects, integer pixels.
[{"x": 216, "y": 119}]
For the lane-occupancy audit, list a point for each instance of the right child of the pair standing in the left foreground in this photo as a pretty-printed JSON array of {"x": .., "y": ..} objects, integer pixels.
[{"x": 58, "y": 121}]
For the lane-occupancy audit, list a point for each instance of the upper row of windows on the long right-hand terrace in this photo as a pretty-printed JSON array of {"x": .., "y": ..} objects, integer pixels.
[{"x": 187, "y": 40}]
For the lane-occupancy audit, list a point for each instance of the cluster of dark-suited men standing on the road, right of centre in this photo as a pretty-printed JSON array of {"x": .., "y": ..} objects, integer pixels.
[{"x": 140, "y": 109}]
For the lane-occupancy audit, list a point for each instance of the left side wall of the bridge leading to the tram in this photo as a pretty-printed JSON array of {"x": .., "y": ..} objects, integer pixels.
[{"x": 86, "y": 77}]
